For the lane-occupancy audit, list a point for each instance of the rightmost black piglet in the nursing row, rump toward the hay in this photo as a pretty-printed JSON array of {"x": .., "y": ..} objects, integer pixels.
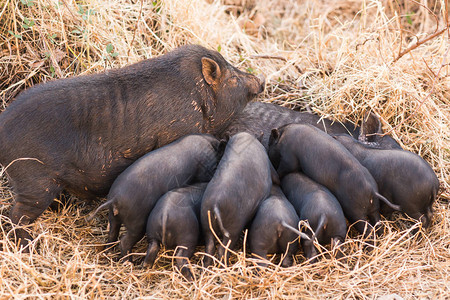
[{"x": 402, "y": 177}]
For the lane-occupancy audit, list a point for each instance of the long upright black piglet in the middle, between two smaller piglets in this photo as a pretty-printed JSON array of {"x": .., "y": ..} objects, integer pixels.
[{"x": 242, "y": 180}]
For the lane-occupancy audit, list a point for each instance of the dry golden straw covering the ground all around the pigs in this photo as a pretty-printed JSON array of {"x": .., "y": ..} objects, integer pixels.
[{"x": 335, "y": 58}]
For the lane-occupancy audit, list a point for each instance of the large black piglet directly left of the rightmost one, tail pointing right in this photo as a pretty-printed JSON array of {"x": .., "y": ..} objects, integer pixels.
[{"x": 304, "y": 148}]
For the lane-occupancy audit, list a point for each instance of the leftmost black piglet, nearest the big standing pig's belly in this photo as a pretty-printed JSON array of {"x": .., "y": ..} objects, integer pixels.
[{"x": 135, "y": 192}]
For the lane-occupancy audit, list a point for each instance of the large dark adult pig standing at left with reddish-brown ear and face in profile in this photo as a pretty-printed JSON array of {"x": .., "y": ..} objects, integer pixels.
[{"x": 79, "y": 134}]
